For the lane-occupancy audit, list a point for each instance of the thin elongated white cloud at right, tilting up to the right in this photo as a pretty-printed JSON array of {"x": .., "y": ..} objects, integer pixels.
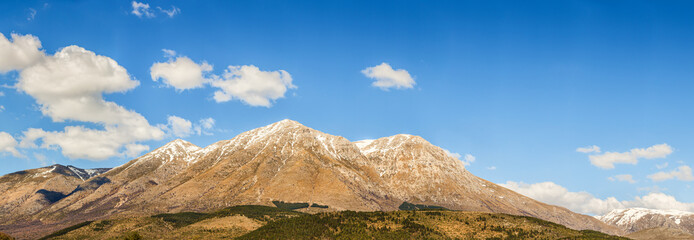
[{"x": 608, "y": 159}]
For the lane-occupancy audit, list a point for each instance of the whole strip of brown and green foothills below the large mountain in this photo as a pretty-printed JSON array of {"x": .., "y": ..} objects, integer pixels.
[{"x": 262, "y": 222}]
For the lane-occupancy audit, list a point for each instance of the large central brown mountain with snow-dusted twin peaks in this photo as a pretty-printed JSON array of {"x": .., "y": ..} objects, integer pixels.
[{"x": 289, "y": 162}]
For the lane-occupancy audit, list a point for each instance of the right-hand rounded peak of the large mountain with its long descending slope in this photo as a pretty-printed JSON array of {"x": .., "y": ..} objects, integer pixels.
[{"x": 418, "y": 172}]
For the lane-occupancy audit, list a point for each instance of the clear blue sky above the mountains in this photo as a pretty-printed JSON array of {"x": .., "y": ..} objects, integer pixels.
[{"x": 518, "y": 84}]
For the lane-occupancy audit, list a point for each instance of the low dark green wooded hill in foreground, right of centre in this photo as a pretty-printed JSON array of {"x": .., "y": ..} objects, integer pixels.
[{"x": 428, "y": 224}]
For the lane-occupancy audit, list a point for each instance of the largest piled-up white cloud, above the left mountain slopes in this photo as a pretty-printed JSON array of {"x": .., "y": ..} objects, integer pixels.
[{"x": 68, "y": 86}]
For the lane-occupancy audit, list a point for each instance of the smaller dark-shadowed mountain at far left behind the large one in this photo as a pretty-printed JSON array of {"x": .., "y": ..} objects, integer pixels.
[{"x": 28, "y": 192}]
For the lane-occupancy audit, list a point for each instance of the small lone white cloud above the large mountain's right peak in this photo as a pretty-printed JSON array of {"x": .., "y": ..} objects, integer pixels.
[{"x": 386, "y": 77}]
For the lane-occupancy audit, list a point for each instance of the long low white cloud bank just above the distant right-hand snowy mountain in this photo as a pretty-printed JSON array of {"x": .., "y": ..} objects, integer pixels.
[{"x": 586, "y": 203}]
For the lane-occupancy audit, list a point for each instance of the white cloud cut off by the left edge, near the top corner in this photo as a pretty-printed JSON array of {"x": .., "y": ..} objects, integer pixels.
[{"x": 21, "y": 52}]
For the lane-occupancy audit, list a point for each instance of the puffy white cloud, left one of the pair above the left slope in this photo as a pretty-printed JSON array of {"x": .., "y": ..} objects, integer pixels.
[{"x": 181, "y": 73}]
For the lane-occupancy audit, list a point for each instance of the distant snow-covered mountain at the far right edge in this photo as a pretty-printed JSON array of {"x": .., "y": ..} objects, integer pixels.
[{"x": 636, "y": 219}]
